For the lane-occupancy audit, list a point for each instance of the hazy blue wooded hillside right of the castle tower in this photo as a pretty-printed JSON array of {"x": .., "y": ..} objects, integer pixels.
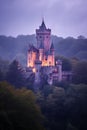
[{"x": 71, "y": 47}]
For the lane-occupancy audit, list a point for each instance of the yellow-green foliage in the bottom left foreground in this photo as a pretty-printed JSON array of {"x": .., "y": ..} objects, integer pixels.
[{"x": 18, "y": 109}]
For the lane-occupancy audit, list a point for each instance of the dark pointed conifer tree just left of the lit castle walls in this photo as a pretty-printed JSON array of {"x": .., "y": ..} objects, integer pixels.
[{"x": 15, "y": 74}]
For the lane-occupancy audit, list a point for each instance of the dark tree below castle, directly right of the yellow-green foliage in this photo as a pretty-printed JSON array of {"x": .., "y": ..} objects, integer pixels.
[{"x": 51, "y": 101}]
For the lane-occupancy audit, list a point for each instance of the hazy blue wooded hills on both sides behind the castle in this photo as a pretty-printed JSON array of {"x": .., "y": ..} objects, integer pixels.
[{"x": 16, "y": 48}]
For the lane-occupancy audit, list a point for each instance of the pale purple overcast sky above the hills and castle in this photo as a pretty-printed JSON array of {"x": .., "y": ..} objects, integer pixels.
[{"x": 64, "y": 17}]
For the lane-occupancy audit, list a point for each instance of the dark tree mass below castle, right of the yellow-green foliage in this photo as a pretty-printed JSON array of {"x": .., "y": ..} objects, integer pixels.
[{"x": 64, "y": 108}]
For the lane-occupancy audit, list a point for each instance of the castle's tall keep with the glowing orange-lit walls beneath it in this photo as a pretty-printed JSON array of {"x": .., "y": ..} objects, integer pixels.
[{"x": 44, "y": 51}]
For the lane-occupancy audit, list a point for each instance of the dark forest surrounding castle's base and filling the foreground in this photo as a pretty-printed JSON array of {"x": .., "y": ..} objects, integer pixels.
[{"x": 61, "y": 106}]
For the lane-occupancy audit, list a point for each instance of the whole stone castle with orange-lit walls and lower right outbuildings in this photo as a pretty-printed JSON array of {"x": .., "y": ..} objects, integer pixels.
[{"x": 43, "y": 56}]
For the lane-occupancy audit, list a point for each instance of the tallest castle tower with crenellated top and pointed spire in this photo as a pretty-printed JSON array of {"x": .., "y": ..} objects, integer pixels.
[{"x": 43, "y": 35}]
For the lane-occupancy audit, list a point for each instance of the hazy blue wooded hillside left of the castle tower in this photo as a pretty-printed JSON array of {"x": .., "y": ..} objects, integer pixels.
[{"x": 11, "y": 48}]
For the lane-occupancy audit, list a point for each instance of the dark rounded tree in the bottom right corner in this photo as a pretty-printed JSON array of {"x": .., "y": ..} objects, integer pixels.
[{"x": 76, "y": 105}]
